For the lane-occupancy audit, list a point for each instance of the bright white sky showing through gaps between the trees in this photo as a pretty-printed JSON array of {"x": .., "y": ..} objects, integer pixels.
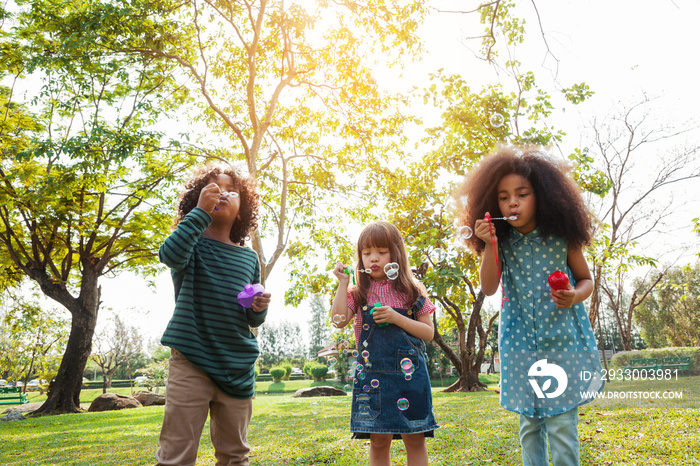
[{"x": 622, "y": 50}]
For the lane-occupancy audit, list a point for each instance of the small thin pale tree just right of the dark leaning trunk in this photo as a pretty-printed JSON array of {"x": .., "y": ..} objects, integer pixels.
[{"x": 115, "y": 345}]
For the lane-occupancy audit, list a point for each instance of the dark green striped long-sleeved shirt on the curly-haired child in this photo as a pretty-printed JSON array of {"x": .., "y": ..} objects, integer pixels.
[{"x": 208, "y": 325}]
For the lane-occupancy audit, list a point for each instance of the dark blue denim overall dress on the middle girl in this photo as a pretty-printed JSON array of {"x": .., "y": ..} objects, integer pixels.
[{"x": 391, "y": 388}]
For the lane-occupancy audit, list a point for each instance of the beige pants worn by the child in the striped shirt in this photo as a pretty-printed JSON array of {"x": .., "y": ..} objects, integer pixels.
[{"x": 190, "y": 396}]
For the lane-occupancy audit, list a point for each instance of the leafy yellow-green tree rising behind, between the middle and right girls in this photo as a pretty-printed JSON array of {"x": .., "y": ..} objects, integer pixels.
[{"x": 424, "y": 188}]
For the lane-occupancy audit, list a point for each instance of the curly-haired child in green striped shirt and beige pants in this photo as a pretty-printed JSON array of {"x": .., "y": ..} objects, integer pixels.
[{"x": 213, "y": 351}]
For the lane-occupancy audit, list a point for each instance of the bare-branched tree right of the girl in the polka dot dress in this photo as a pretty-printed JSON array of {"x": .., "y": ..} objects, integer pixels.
[{"x": 638, "y": 158}]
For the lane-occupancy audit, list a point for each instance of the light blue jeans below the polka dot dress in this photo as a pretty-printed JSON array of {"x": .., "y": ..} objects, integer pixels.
[{"x": 562, "y": 431}]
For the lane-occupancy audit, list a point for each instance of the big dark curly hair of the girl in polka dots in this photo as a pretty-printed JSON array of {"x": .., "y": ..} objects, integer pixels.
[{"x": 559, "y": 210}]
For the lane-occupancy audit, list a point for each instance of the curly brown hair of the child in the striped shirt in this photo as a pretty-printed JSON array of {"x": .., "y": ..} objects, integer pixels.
[{"x": 248, "y": 216}]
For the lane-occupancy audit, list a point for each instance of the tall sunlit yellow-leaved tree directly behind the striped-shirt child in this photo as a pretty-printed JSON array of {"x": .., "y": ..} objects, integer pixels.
[{"x": 288, "y": 89}]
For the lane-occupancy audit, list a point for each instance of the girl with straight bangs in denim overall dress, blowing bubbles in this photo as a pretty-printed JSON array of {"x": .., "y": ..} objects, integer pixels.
[{"x": 391, "y": 314}]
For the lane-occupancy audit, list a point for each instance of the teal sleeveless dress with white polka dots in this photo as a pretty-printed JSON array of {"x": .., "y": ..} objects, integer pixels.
[{"x": 549, "y": 357}]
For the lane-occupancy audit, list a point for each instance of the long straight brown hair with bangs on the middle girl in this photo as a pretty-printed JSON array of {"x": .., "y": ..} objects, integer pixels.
[{"x": 386, "y": 235}]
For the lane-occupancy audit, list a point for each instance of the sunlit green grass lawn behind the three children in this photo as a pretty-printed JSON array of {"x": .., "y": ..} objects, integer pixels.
[{"x": 290, "y": 431}]
